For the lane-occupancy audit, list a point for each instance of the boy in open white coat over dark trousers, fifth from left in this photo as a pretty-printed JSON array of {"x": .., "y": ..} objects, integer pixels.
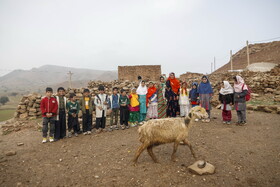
[{"x": 101, "y": 103}]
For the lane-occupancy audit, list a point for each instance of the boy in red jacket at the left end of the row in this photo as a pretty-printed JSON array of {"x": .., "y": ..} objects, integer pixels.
[{"x": 49, "y": 111}]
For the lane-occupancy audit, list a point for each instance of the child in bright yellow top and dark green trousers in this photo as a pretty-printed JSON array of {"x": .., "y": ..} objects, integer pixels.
[{"x": 133, "y": 108}]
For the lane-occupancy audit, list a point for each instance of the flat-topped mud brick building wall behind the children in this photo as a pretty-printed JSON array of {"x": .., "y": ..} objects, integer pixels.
[{"x": 149, "y": 72}]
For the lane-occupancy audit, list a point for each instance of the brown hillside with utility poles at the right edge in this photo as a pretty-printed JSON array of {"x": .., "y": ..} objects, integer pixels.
[{"x": 262, "y": 52}]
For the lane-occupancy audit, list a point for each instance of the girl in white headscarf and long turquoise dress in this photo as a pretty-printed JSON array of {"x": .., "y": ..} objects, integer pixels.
[{"x": 142, "y": 92}]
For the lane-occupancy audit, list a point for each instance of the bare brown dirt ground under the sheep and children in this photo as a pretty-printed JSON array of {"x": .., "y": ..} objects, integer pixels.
[{"x": 243, "y": 156}]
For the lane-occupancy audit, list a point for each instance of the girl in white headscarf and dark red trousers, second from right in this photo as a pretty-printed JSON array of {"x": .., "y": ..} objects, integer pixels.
[{"x": 226, "y": 99}]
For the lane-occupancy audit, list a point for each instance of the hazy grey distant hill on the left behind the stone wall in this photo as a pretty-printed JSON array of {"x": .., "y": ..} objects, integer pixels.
[{"x": 37, "y": 79}]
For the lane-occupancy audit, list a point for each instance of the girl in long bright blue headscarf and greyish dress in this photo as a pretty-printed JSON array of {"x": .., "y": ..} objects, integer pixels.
[{"x": 205, "y": 95}]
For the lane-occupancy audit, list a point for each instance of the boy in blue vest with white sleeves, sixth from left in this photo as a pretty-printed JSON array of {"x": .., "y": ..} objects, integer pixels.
[{"x": 115, "y": 108}]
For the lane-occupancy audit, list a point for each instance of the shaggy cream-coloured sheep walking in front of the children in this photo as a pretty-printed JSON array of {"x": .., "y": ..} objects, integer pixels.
[{"x": 168, "y": 130}]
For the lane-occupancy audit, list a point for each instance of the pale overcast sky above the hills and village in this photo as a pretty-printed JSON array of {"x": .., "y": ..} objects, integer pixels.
[{"x": 180, "y": 35}]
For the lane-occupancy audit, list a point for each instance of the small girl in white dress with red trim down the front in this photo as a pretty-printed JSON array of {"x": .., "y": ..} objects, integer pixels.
[{"x": 184, "y": 100}]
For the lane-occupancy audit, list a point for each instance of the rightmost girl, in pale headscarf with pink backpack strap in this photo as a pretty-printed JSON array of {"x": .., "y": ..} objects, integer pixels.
[{"x": 240, "y": 91}]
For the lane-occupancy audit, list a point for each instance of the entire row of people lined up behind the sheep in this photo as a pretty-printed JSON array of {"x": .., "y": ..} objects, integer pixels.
[{"x": 169, "y": 98}]
